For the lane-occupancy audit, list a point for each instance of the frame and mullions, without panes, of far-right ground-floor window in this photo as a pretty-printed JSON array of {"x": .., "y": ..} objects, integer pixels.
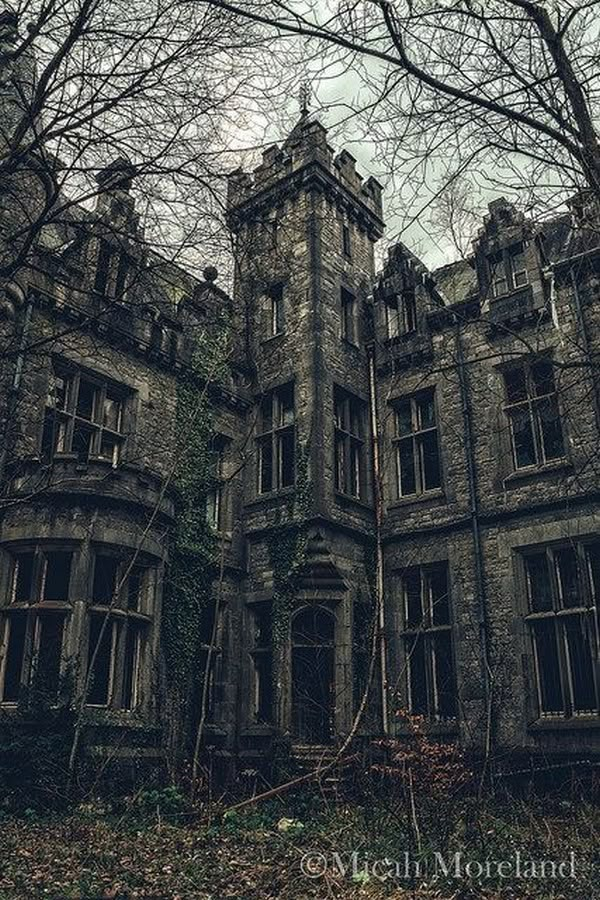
[{"x": 558, "y": 616}]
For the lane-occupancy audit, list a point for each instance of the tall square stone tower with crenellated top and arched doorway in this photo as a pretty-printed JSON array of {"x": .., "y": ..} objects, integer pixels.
[{"x": 305, "y": 225}]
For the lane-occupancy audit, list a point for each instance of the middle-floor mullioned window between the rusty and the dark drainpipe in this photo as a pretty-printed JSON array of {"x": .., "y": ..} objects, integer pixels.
[{"x": 417, "y": 445}]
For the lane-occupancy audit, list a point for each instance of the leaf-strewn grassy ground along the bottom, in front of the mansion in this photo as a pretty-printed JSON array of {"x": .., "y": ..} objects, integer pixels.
[{"x": 152, "y": 847}]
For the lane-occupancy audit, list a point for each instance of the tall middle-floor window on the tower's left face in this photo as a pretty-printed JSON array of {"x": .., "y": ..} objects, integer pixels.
[{"x": 276, "y": 440}]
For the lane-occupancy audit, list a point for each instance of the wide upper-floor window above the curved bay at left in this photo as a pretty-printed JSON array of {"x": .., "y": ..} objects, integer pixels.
[{"x": 84, "y": 416}]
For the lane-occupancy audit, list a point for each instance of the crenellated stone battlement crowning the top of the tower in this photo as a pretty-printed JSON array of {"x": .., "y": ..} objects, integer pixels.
[{"x": 306, "y": 145}]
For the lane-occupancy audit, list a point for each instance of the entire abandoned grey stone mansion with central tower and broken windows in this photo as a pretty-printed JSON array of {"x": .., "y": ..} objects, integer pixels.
[{"x": 404, "y": 479}]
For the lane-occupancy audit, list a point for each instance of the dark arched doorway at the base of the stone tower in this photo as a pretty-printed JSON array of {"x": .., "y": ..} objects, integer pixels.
[{"x": 313, "y": 631}]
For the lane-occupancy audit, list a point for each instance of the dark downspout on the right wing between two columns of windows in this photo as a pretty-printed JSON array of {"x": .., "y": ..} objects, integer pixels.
[{"x": 482, "y": 619}]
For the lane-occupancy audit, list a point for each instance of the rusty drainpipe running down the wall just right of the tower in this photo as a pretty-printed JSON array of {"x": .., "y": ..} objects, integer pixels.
[{"x": 378, "y": 492}]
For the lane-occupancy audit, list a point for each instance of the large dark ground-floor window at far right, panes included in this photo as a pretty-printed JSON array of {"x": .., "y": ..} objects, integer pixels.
[{"x": 563, "y": 593}]
